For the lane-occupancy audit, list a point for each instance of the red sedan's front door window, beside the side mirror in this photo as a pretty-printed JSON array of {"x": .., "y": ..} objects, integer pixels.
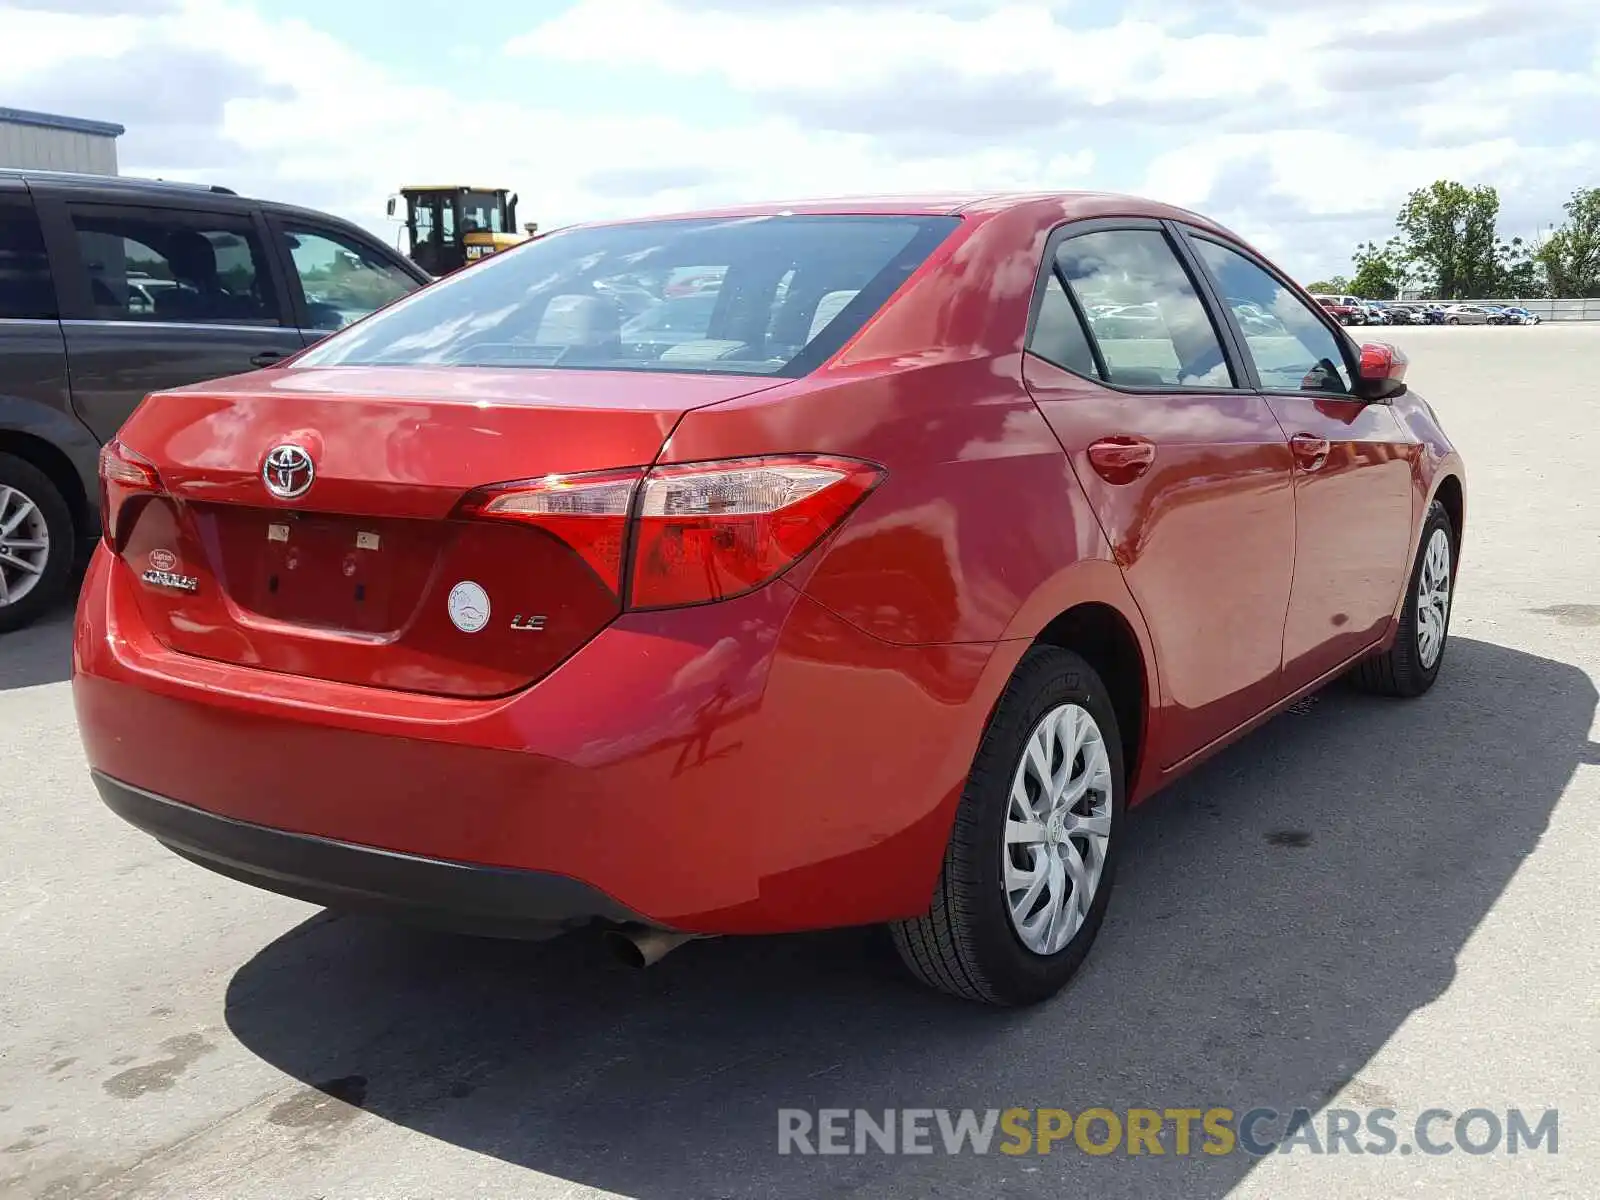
[{"x": 1290, "y": 346}]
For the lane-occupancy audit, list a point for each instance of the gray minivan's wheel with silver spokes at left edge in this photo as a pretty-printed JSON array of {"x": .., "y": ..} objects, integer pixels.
[{"x": 36, "y": 543}]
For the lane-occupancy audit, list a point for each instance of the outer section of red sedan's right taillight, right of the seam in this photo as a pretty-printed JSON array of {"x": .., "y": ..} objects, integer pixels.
[{"x": 716, "y": 530}]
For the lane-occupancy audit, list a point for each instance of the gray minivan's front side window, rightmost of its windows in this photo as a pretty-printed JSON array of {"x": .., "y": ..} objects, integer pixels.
[{"x": 334, "y": 276}]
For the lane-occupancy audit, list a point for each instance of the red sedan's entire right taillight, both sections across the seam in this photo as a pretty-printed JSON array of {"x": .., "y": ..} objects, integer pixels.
[{"x": 700, "y": 532}]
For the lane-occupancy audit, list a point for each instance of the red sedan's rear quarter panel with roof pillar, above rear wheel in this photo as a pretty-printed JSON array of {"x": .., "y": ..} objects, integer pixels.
[{"x": 980, "y": 534}]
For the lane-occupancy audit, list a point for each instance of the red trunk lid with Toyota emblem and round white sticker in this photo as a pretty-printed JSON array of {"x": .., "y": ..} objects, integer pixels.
[{"x": 372, "y": 575}]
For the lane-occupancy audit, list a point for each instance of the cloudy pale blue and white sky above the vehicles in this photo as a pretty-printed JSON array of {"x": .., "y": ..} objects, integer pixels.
[{"x": 1302, "y": 124}]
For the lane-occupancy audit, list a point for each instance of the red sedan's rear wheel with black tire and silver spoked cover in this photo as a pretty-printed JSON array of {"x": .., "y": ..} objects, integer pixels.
[{"x": 1033, "y": 855}]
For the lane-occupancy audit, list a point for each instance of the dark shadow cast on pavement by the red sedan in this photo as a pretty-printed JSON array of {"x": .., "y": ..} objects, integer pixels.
[{"x": 1281, "y": 913}]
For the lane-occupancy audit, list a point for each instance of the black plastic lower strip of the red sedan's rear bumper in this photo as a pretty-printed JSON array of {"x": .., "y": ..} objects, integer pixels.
[{"x": 422, "y": 890}]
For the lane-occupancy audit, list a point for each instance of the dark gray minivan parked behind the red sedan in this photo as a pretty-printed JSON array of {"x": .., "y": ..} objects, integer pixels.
[{"x": 113, "y": 289}]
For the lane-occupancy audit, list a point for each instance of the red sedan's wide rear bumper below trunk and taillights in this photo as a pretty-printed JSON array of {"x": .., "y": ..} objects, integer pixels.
[{"x": 751, "y": 767}]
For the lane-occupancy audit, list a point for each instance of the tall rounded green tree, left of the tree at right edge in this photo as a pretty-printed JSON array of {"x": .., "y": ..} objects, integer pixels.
[{"x": 1447, "y": 233}]
